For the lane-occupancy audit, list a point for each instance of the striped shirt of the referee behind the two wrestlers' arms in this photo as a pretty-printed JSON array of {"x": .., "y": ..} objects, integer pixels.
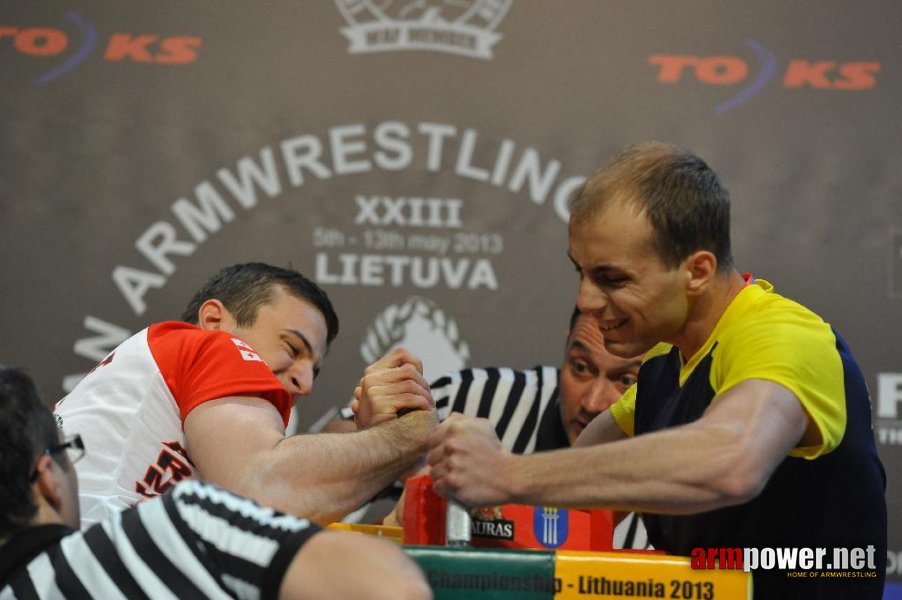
[{"x": 524, "y": 407}]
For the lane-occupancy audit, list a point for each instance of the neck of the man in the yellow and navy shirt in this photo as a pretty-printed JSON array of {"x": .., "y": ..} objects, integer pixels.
[{"x": 705, "y": 312}]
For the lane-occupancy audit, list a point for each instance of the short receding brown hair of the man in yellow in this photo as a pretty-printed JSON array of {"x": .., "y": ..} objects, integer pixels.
[{"x": 684, "y": 201}]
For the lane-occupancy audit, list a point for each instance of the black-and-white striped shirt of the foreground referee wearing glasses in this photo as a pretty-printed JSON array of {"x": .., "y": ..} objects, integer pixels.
[{"x": 198, "y": 541}]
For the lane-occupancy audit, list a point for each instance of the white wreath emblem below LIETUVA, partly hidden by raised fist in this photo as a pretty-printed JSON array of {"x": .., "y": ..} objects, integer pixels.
[{"x": 418, "y": 325}]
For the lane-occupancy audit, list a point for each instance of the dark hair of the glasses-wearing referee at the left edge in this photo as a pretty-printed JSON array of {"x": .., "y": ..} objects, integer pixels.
[{"x": 26, "y": 428}]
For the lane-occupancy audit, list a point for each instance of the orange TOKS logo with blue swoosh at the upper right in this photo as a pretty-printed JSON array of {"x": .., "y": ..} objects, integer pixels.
[{"x": 752, "y": 76}]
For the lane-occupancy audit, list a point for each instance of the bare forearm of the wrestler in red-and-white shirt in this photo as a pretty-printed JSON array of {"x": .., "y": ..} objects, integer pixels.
[{"x": 325, "y": 476}]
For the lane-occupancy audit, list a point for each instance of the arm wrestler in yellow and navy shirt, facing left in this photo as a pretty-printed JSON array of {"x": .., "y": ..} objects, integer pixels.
[{"x": 749, "y": 426}]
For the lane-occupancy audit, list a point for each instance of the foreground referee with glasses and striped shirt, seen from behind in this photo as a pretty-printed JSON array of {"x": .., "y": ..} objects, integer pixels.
[{"x": 198, "y": 541}]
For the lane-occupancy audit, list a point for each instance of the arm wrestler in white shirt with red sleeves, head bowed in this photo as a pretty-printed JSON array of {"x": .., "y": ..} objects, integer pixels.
[{"x": 210, "y": 397}]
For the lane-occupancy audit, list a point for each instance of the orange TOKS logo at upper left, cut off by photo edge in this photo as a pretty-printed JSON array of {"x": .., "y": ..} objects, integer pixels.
[{"x": 119, "y": 47}]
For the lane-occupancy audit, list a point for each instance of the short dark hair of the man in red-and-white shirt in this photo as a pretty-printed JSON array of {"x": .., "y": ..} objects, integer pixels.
[{"x": 244, "y": 288}]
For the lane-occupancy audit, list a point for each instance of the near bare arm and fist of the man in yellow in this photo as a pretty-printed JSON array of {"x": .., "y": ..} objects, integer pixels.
[{"x": 723, "y": 458}]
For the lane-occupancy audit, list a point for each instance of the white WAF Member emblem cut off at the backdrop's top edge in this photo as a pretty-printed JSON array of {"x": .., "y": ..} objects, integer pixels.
[{"x": 462, "y": 27}]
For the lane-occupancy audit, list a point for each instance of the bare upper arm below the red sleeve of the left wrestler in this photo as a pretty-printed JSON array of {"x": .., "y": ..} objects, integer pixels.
[{"x": 226, "y": 437}]
